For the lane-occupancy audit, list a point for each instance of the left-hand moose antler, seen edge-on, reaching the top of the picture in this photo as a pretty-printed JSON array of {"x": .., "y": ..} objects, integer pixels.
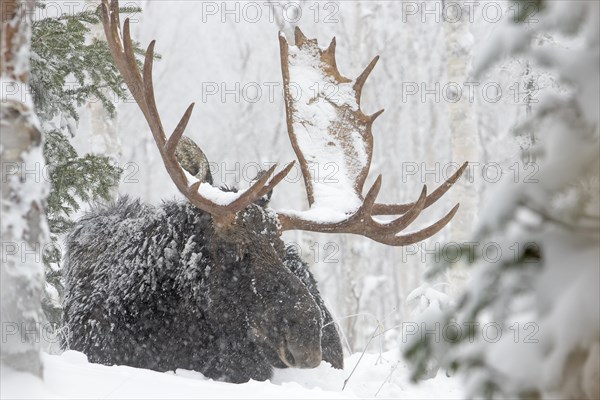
[{"x": 141, "y": 87}]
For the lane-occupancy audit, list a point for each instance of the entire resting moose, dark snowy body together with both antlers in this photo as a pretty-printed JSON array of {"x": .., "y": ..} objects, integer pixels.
[{"x": 248, "y": 302}]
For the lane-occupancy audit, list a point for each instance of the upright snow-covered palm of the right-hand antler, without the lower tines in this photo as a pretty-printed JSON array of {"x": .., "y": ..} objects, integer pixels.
[{"x": 329, "y": 133}]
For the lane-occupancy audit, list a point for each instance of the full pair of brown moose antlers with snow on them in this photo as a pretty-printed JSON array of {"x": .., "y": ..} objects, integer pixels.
[{"x": 320, "y": 127}]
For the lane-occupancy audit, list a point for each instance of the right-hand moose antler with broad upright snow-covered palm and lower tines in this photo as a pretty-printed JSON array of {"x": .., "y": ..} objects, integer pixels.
[{"x": 333, "y": 128}]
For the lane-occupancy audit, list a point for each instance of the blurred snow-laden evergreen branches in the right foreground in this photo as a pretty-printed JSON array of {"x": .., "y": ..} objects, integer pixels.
[{"x": 541, "y": 296}]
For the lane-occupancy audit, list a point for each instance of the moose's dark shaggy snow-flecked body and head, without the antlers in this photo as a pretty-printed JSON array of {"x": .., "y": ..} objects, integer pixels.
[{"x": 161, "y": 288}]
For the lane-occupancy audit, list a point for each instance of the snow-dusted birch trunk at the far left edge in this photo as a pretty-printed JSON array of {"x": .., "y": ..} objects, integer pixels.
[{"x": 23, "y": 223}]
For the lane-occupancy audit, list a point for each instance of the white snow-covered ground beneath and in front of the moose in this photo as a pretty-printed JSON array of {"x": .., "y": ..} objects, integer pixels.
[{"x": 70, "y": 375}]
